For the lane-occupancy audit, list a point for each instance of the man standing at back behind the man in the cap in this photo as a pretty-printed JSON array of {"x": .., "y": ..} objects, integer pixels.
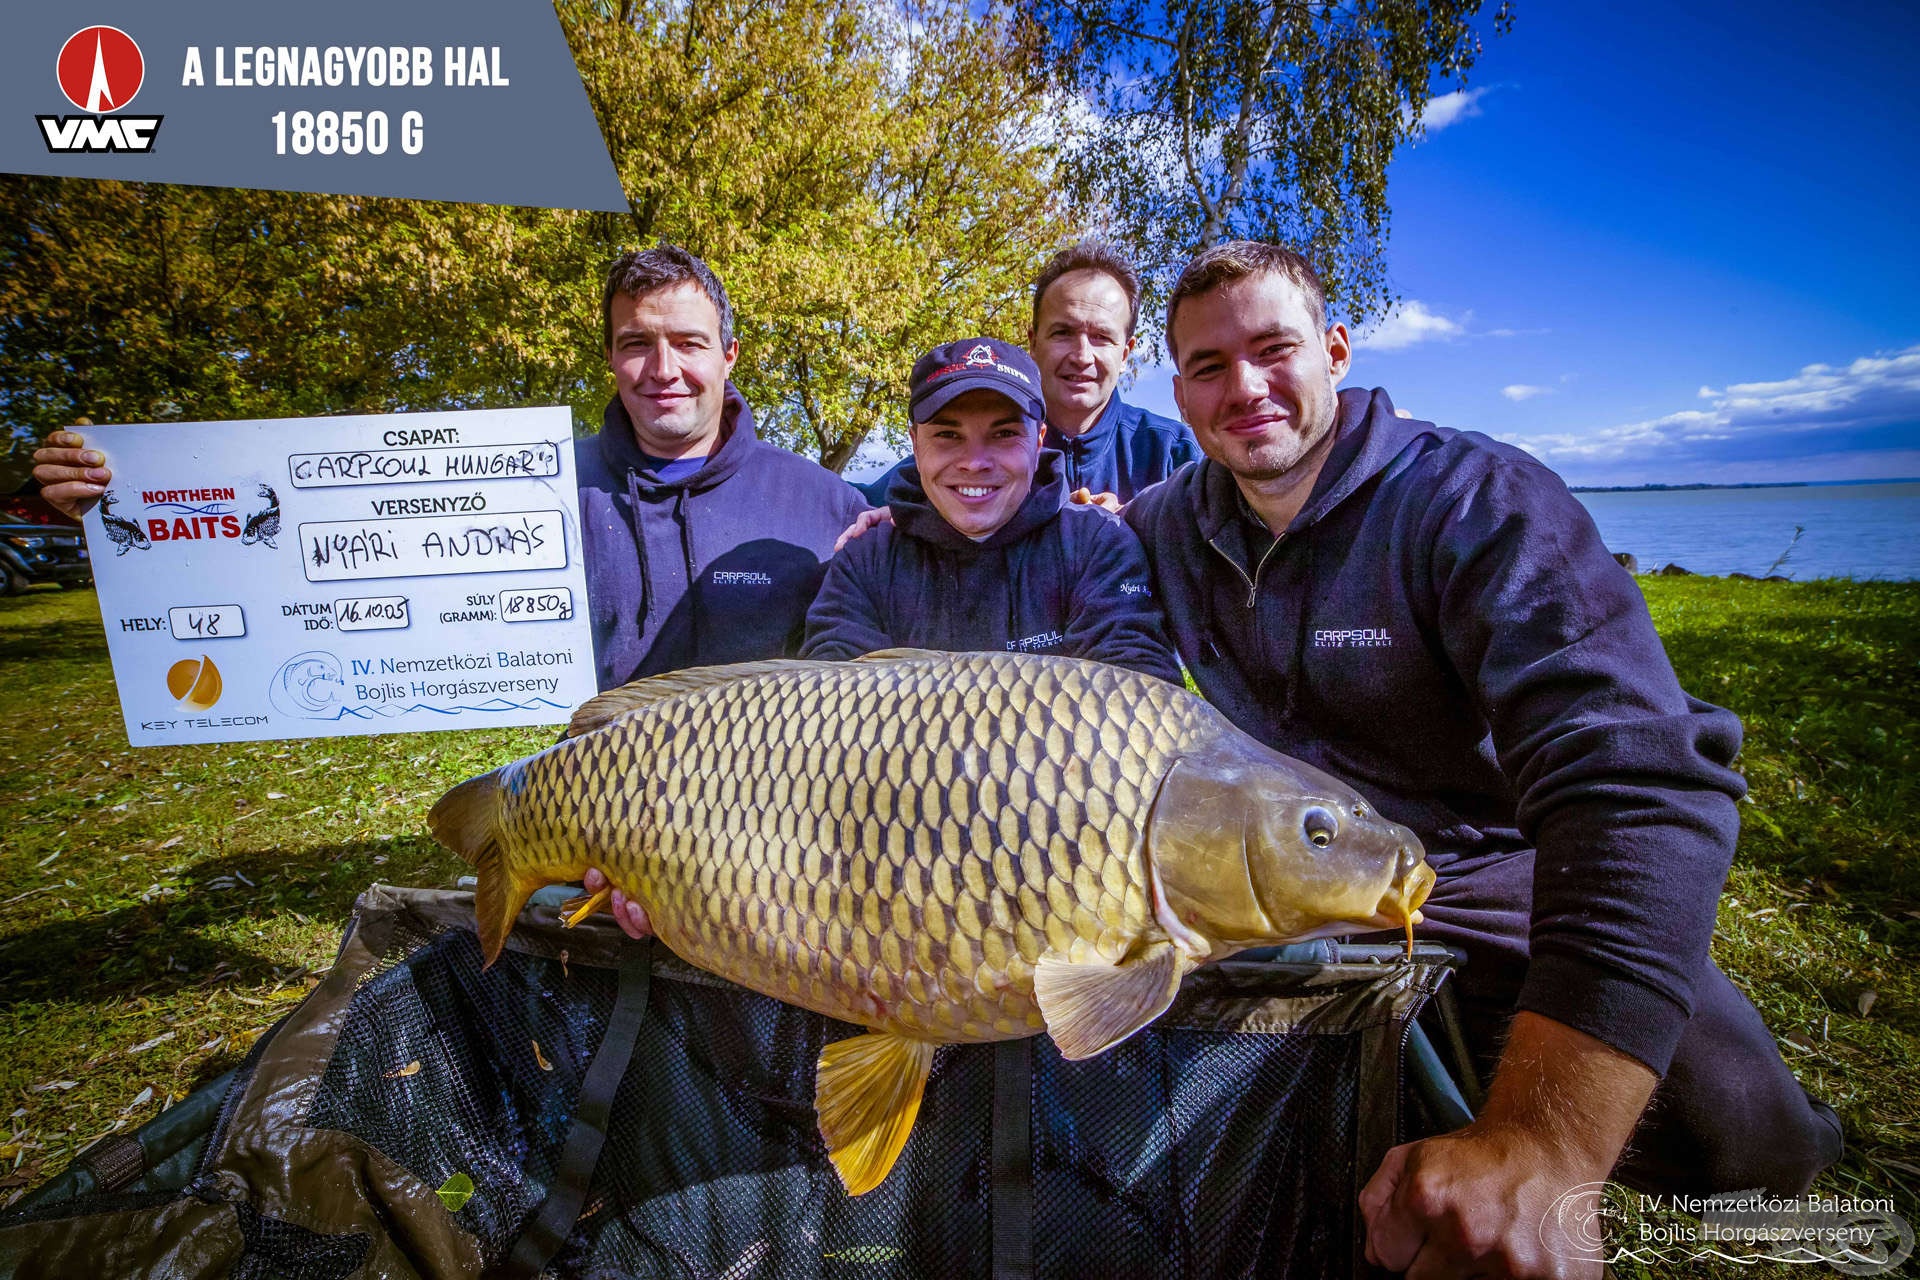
[{"x": 1086, "y": 308}]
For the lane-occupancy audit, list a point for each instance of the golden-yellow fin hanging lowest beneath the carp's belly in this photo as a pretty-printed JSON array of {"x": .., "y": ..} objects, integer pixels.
[{"x": 869, "y": 1095}]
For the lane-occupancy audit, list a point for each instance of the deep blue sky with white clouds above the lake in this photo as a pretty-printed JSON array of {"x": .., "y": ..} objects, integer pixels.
[{"x": 1668, "y": 245}]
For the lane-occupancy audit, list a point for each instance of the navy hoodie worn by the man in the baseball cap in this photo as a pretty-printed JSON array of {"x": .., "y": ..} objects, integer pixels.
[{"x": 1057, "y": 579}]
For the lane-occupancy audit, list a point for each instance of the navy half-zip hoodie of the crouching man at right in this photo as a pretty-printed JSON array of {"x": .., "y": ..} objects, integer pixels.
[{"x": 1445, "y": 628}]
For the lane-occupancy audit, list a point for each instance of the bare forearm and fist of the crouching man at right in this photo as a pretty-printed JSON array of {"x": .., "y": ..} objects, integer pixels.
[{"x": 1474, "y": 1202}]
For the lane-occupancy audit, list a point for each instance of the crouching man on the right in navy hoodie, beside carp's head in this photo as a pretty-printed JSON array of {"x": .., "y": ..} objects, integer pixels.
[{"x": 1433, "y": 617}]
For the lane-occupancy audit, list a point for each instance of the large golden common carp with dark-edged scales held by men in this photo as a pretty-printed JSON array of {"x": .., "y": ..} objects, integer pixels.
[{"x": 940, "y": 847}]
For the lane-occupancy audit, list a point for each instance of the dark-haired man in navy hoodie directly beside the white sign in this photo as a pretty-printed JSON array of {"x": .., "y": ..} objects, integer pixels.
[{"x": 704, "y": 544}]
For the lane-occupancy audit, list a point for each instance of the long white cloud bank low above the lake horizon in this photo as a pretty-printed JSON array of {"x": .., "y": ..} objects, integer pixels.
[{"x": 1869, "y": 406}]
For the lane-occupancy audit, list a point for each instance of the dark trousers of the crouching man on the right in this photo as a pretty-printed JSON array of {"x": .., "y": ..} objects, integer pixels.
[{"x": 1729, "y": 1116}]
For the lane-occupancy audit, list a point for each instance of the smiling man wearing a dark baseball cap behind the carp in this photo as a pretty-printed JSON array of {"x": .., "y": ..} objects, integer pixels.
[{"x": 984, "y": 552}]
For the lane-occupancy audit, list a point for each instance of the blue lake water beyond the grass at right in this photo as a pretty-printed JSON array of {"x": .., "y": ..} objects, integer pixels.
[{"x": 1854, "y": 531}]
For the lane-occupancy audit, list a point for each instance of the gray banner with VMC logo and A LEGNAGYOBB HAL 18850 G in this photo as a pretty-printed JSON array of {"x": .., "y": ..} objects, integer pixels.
[{"x": 423, "y": 99}]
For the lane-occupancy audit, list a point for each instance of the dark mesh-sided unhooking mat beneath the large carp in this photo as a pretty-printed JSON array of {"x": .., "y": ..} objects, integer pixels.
[{"x": 1230, "y": 1139}]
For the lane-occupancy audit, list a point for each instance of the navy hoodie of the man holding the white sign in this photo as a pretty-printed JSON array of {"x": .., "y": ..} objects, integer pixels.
[{"x": 715, "y": 567}]
